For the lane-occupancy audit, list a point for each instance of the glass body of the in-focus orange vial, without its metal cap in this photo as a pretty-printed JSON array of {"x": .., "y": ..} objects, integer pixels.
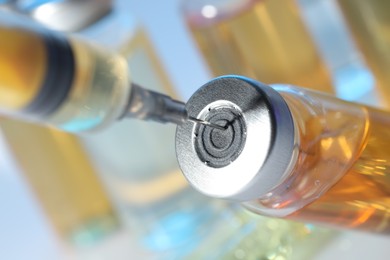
[{"x": 340, "y": 177}]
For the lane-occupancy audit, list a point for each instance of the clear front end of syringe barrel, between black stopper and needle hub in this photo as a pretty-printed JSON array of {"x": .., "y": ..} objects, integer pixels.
[{"x": 99, "y": 93}]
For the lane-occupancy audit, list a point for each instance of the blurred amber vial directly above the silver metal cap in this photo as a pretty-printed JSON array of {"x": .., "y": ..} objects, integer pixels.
[{"x": 263, "y": 39}]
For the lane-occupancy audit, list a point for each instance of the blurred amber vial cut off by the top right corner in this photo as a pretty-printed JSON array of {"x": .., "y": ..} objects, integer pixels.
[{"x": 369, "y": 22}]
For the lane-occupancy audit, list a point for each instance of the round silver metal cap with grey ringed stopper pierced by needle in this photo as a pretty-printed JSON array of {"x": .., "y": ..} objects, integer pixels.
[{"x": 252, "y": 155}]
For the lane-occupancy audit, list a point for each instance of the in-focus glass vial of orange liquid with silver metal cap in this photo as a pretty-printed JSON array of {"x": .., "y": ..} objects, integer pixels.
[{"x": 290, "y": 153}]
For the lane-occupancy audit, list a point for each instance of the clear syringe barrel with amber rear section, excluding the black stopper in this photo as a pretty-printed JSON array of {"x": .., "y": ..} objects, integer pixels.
[{"x": 98, "y": 93}]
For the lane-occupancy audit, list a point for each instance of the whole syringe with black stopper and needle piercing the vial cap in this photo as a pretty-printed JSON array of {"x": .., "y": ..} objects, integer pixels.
[{"x": 74, "y": 85}]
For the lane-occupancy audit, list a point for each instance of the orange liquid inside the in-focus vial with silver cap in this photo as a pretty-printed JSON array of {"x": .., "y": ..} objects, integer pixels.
[{"x": 361, "y": 198}]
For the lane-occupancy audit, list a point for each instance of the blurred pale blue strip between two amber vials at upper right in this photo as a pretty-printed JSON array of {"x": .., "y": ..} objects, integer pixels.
[{"x": 351, "y": 78}]
